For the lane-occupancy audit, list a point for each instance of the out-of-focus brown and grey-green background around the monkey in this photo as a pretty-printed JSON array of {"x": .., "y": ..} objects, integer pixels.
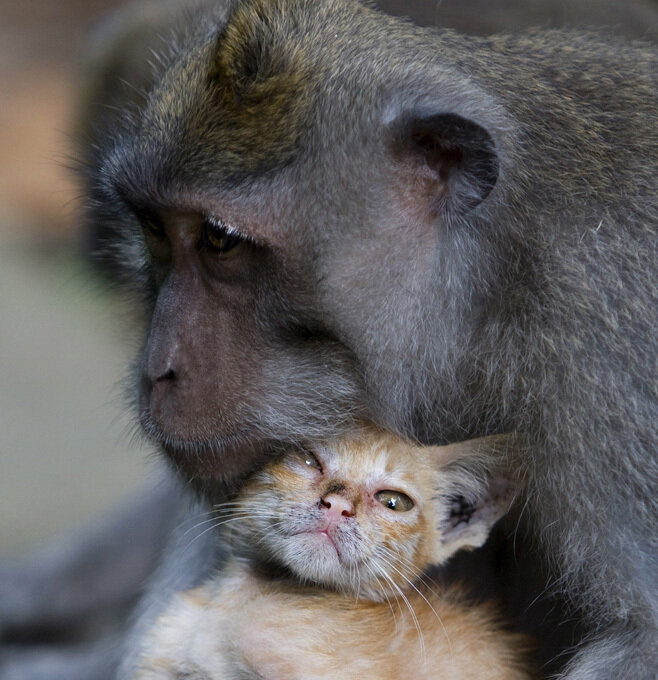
[{"x": 67, "y": 445}]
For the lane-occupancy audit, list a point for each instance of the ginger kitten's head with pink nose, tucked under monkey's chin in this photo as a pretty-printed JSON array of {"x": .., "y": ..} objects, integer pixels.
[{"x": 369, "y": 514}]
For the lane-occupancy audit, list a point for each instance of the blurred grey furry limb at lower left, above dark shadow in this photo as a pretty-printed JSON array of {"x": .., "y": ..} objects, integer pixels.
[{"x": 89, "y": 575}]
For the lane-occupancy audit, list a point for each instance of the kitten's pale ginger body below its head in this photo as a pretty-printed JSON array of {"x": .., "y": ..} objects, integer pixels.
[{"x": 243, "y": 625}]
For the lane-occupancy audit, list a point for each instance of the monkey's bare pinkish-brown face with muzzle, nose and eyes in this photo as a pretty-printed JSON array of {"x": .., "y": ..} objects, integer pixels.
[{"x": 229, "y": 369}]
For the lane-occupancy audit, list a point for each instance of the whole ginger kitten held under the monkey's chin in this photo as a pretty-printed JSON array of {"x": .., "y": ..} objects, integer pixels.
[{"x": 326, "y": 580}]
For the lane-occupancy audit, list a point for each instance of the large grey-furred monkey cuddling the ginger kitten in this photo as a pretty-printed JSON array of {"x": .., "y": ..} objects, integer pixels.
[{"x": 452, "y": 236}]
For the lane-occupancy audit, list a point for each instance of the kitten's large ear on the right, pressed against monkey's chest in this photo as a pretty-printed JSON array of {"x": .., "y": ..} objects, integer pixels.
[{"x": 477, "y": 482}]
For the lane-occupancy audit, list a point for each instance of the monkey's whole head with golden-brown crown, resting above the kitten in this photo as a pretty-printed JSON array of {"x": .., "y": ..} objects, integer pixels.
[{"x": 304, "y": 197}]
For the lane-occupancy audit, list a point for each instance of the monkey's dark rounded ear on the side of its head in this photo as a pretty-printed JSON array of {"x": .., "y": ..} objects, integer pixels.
[{"x": 452, "y": 159}]
